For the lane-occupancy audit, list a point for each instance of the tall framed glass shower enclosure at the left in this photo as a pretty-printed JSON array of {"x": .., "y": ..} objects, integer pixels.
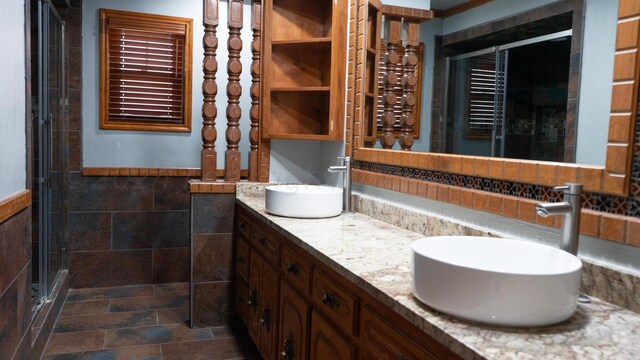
[{"x": 50, "y": 108}]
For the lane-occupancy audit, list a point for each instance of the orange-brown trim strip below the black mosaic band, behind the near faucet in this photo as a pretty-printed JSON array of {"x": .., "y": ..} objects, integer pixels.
[{"x": 612, "y": 227}]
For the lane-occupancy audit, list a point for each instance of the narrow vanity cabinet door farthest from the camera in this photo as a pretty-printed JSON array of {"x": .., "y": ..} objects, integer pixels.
[{"x": 255, "y": 311}]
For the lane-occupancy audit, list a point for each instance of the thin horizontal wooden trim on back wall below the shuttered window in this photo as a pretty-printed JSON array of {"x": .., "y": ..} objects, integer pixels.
[{"x": 170, "y": 172}]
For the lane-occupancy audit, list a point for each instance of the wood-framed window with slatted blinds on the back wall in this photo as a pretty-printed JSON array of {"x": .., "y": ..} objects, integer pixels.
[{"x": 145, "y": 71}]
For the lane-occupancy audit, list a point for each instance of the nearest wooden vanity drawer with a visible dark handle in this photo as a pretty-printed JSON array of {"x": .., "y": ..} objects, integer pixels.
[{"x": 334, "y": 301}]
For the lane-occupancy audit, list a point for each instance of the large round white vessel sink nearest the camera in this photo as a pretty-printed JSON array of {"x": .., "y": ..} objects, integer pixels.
[{"x": 496, "y": 281}]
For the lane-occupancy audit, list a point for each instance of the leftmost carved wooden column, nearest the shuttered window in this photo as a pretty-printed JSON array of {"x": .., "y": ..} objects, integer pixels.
[{"x": 209, "y": 90}]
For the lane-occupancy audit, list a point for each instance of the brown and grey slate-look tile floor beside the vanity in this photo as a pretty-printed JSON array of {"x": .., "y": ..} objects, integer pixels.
[{"x": 139, "y": 322}]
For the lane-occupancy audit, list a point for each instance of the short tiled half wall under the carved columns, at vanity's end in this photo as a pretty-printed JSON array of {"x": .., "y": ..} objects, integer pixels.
[{"x": 212, "y": 260}]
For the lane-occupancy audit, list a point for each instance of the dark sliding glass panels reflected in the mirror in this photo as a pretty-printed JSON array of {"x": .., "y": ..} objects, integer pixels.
[{"x": 509, "y": 100}]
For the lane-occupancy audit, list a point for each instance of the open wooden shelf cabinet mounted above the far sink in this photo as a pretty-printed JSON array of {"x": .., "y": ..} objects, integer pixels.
[{"x": 303, "y": 74}]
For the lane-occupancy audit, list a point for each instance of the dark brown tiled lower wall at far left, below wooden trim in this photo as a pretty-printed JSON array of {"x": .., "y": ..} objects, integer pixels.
[{"x": 15, "y": 283}]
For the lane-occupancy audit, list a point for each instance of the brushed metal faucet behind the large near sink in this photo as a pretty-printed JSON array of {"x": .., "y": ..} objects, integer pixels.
[{"x": 569, "y": 208}]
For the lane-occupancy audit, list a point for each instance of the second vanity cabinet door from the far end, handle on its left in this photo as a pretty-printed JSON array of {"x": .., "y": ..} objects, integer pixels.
[{"x": 269, "y": 306}]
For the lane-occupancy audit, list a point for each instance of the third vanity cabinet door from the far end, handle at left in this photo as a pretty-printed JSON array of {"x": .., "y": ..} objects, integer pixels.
[{"x": 294, "y": 321}]
